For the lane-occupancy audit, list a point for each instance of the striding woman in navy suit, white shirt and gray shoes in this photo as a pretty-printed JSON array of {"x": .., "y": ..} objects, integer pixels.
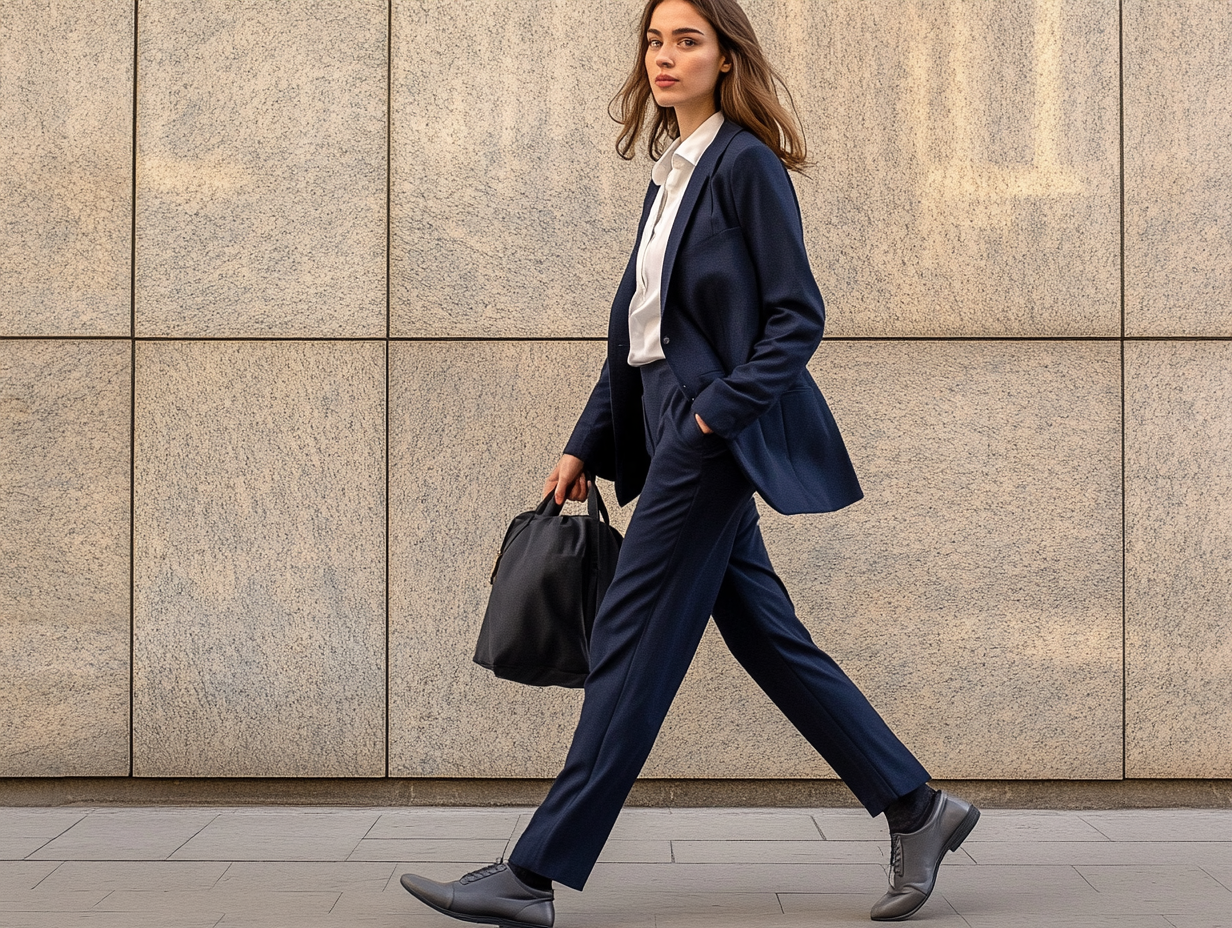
[{"x": 705, "y": 400}]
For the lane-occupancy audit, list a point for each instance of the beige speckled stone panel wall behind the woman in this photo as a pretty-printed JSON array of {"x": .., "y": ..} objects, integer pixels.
[{"x": 299, "y": 303}]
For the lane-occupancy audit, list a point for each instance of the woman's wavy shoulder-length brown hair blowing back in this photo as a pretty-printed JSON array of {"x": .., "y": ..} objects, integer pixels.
[{"x": 747, "y": 94}]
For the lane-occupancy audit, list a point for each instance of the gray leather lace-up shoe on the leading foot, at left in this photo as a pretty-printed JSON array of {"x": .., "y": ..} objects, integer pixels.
[{"x": 492, "y": 895}]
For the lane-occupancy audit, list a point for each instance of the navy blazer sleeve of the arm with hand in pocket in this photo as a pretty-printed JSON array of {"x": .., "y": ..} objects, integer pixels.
[{"x": 793, "y": 312}]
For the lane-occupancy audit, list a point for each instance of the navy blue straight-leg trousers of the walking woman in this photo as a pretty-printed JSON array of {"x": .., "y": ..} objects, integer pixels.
[{"x": 693, "y": 550}]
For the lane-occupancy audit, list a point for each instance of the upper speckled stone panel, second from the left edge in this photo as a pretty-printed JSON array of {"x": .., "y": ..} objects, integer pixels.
[{"x": 262, "y": 169}]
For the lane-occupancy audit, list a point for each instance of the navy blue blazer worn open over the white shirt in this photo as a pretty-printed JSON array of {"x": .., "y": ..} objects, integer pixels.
[{"x": 742, "y": 316}]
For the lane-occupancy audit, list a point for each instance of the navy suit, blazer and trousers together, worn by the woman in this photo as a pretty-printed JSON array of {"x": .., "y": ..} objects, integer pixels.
[{"x": 742, "y": 316}]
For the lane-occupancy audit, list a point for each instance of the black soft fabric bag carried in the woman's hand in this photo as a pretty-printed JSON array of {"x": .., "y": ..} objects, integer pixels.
[{"x": 548, "y": 584}]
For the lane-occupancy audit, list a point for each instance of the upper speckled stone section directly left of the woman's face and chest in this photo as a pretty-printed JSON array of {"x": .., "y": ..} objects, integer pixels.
[{"x": 512, "y": 214}]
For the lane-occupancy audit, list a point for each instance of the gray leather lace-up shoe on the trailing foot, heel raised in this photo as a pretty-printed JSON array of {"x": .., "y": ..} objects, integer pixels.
[{"x": 916, "y": 857}]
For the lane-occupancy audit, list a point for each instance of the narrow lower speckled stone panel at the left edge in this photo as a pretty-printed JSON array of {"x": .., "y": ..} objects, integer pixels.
[{"x": 65, "y": 490}]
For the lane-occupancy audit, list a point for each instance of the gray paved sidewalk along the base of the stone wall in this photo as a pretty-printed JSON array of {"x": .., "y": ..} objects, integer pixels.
[{"x": 339, "y": 868}]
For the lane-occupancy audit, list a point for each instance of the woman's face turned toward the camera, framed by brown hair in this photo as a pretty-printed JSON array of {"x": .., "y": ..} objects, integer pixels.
[{"x": 683, "y": 60}]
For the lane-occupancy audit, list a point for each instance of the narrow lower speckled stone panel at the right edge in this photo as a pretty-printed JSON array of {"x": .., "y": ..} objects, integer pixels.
[{"x": 1178, "y": 434}]
